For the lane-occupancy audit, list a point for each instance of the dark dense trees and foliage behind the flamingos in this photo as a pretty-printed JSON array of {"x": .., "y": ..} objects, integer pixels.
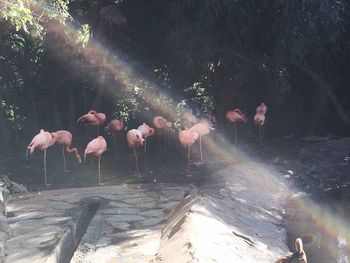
[{"x": 60, "y": 58}]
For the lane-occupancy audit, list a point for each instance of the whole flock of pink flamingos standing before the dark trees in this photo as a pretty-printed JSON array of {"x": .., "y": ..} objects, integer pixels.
[{"x": 137, "y": 137}]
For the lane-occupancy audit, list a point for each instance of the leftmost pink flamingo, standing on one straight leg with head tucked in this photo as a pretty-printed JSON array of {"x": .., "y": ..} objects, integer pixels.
[{"x": 42, "y": 141}]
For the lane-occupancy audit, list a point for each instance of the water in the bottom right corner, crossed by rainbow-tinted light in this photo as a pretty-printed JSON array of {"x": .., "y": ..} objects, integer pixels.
[{"x": 322, "y": 222}]
